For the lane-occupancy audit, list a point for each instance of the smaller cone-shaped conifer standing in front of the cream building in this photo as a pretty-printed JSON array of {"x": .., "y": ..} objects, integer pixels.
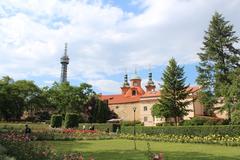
[{"x": 173, "y": 99}]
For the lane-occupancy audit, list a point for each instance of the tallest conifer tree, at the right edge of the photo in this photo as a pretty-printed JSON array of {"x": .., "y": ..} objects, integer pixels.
[{"x": 218, "y": 59}]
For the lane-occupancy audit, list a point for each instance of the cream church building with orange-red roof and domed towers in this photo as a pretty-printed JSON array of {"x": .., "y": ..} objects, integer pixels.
[{"x": 134, "y": 96}]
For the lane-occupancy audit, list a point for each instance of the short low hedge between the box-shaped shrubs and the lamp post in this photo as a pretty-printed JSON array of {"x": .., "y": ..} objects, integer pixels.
[{"x": 101, "y": 126}]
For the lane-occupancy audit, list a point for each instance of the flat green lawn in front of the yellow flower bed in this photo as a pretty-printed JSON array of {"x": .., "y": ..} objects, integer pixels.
[{"x": 123, "y": 150}]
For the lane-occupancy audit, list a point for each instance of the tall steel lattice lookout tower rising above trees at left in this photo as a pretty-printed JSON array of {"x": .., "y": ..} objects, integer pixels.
[{"x": 64, "y": 61}]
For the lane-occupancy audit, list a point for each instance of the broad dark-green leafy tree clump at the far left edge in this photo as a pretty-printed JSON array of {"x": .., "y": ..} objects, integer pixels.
[{"x": 19, "y": 96}]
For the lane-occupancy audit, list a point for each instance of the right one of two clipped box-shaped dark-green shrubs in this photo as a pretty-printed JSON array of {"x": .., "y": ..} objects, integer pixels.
[{"x": 71, "y": 120}]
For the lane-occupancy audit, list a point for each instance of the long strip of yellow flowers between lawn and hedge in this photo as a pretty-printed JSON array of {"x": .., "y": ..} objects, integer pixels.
[{"x": 210, "y": 139}]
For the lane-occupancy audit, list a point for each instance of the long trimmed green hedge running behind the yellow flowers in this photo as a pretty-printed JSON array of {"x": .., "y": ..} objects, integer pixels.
[{"x": 231, "y": 130}]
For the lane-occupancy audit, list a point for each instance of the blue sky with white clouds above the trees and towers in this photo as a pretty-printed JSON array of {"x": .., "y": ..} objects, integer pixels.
[{"x": 105, "y": 38}]
